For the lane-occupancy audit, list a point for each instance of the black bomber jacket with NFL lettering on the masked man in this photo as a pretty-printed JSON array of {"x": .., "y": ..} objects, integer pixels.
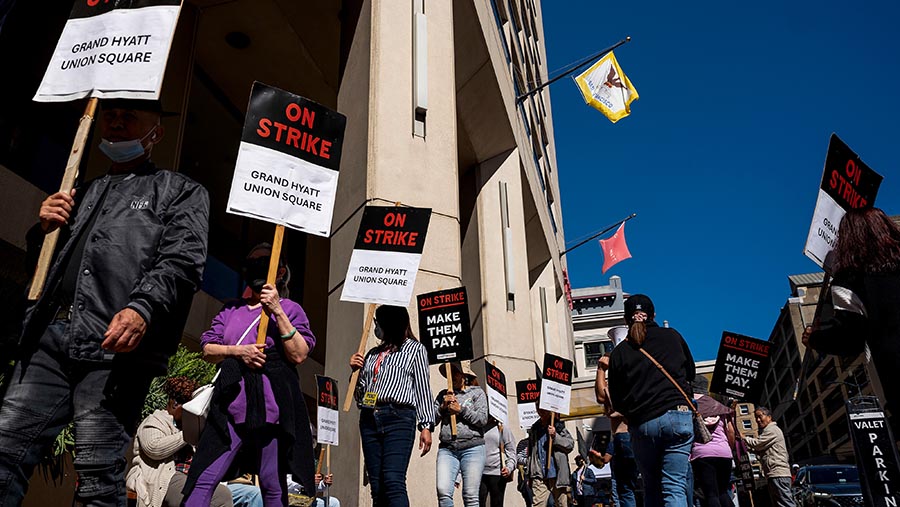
[{"x": 146, "y": 251}]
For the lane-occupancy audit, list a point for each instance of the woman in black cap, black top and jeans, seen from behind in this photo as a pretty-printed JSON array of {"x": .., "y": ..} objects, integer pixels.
[{"x": 659, "y": 419}]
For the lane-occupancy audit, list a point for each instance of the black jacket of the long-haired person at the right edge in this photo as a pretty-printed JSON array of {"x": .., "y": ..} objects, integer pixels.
[{"x": 866, "y": 312}]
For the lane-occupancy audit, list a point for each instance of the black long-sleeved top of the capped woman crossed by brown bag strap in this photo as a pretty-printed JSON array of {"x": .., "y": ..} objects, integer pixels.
[{"x": 637, "y": 388}]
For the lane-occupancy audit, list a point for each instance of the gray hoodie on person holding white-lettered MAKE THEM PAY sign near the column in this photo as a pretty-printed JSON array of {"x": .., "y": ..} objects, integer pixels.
[{"x": 470, "y": 421}]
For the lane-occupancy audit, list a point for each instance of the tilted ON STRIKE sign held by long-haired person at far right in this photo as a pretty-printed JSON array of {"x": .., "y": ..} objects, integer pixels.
[{"x": 847, "y": 183}]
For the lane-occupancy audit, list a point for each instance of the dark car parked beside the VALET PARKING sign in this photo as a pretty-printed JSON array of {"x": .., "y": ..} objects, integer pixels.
[{"x": 827, "y": 486}]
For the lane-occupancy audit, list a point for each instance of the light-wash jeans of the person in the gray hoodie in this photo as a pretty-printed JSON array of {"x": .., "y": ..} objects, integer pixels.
[{"x": 469, "y": 462}]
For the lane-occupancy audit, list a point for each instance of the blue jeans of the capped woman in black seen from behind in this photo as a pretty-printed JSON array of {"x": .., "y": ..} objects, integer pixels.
[{"x": 662, "y": 447}]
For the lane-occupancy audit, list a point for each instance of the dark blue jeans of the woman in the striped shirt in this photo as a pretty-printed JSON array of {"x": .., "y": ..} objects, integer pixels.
[{"x": 388, "y": 434}]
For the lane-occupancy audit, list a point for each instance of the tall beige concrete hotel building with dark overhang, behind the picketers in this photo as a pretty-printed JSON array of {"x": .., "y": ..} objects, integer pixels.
[{"x": 430, "y": 91}]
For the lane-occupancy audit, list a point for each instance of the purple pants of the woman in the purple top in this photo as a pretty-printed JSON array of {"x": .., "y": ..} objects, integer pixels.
[{"x": 271, "y": 481}]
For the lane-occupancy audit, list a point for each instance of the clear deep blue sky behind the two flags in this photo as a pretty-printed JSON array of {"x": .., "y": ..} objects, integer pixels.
[{"x": 722, "y": 155}]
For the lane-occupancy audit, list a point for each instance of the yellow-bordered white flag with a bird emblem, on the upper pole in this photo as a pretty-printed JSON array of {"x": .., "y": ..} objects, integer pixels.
[{"x": 605, "y": 87}]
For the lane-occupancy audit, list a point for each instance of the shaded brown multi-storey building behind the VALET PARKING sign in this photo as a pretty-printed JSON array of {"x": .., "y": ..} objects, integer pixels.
[{"x": 806, "y": 390}]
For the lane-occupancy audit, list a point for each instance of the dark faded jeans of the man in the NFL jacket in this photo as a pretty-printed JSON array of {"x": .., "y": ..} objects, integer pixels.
[{"x": 49, "y": 389}]
